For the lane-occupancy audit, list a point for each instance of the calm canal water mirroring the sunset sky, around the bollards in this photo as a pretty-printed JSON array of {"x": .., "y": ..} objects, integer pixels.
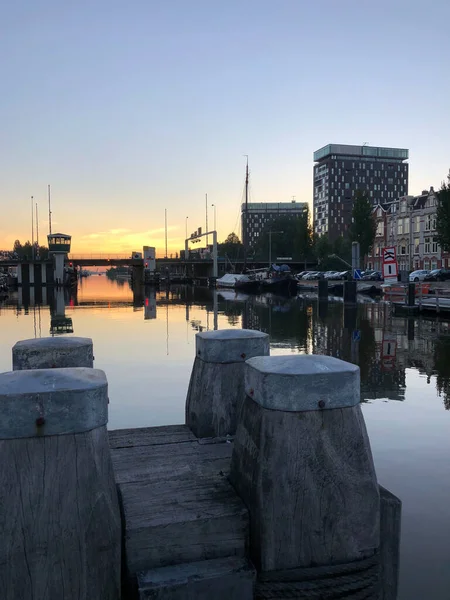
[{"x": 146, "y": 346}]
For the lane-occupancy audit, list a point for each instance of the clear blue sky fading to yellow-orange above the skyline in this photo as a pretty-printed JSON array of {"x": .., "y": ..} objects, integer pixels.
[{"x": 132, "y": 108}]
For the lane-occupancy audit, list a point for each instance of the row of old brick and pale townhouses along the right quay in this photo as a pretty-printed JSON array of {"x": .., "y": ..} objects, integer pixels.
[{"x": 409, "y": 224}]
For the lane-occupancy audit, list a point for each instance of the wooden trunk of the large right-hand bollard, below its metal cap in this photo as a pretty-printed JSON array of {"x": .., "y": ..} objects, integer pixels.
[{"x": 309, "y": 483}]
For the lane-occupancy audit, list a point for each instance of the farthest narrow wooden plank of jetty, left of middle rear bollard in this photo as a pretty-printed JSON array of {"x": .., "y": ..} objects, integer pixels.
[{"x": 150, "y": 436}]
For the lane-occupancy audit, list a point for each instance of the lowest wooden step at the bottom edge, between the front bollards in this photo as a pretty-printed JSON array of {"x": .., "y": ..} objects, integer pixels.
[{"x": 217, "y": 579}]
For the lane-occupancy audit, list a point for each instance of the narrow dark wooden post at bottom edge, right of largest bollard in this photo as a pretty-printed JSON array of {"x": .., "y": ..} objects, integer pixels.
[{"x": 390, "y": 531}]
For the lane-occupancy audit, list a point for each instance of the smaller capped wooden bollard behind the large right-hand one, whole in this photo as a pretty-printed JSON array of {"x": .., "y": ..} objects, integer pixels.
[{"x": 216, "y": 387}]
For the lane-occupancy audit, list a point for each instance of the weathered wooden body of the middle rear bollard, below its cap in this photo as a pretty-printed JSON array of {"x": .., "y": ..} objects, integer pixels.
[{"x": 214, "y": 394}]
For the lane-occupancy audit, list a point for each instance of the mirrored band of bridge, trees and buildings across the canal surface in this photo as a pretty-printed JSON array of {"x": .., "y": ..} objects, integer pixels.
[{"x": 369, "y": 335}]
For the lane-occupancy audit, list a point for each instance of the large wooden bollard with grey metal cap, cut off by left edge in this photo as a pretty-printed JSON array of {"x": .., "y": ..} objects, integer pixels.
[{"x": 60, "y": 518}]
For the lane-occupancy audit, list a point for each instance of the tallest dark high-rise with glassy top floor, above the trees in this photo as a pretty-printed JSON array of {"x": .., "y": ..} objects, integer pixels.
[{"x": 340, "y": 170}]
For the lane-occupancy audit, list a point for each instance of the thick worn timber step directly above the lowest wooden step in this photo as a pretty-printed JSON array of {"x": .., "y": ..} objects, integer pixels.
[{"x": 182, "y": 520}]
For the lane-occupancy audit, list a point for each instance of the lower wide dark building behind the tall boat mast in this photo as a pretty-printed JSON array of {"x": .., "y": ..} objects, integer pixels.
[{"x": 261, "y": 213}]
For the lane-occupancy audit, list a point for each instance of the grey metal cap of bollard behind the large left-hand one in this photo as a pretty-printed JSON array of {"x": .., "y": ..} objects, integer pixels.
[{"x": 50, "y": 352}]
